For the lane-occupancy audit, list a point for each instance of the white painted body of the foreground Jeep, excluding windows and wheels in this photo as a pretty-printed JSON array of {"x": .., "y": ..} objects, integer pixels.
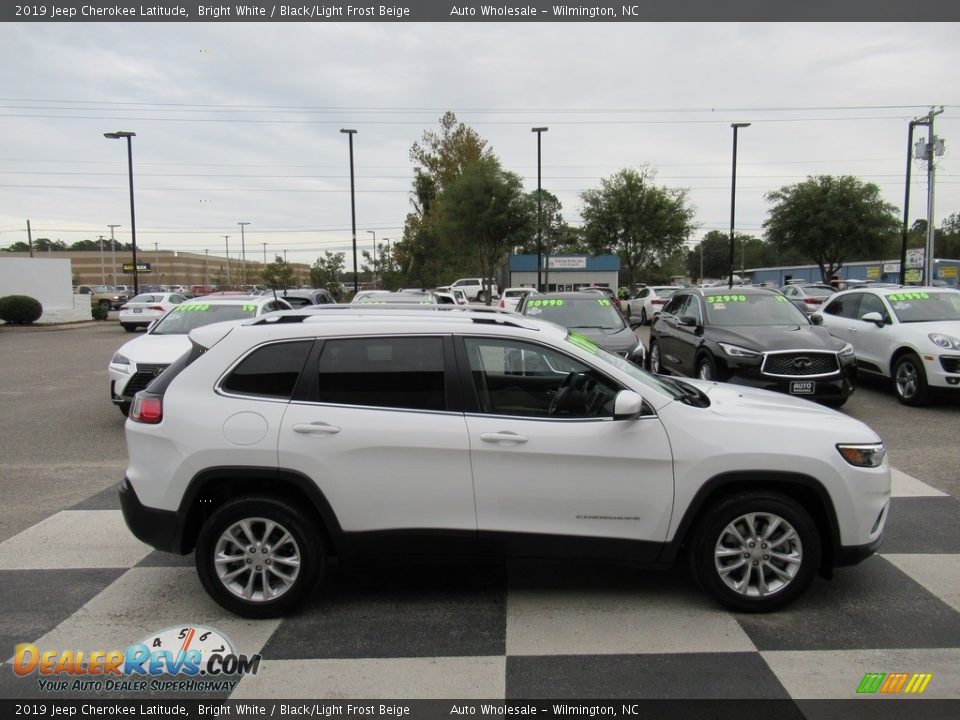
[{"x": 626, "y": 479}]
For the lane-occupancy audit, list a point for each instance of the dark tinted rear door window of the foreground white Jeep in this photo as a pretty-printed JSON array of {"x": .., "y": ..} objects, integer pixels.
[{"x": 383, "y": 372}]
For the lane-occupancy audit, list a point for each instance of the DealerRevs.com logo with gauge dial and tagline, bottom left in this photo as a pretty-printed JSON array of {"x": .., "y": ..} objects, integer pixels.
[{"x": 189, "y": 658}]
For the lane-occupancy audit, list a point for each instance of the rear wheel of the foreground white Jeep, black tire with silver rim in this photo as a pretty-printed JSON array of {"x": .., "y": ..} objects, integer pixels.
[{"x": 304, "y": 543}]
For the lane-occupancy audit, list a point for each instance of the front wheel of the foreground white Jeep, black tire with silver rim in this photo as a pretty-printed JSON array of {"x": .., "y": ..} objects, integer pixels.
[{"x": 720, "y": 561}]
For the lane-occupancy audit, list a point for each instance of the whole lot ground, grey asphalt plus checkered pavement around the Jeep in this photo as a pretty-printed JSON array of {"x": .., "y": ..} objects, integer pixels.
[{"x": 74, "y": 577}]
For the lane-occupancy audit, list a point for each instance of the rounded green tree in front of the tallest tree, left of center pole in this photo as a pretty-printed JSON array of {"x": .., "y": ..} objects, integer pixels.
[{"x": 485, "y": 208}]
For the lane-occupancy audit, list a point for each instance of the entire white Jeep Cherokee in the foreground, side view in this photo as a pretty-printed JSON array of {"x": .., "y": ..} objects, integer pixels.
[{"x": 277, "y": 443}]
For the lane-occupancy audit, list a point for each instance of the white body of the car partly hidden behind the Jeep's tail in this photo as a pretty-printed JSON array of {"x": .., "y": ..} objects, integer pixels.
[{"x": 140, "y": 360}]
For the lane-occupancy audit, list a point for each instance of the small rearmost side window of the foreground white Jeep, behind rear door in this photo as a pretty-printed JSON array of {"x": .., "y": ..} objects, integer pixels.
[{"x": 269, "y": 371}]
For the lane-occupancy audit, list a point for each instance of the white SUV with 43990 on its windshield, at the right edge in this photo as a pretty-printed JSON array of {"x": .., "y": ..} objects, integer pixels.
[{"x": 882, "y": 341}]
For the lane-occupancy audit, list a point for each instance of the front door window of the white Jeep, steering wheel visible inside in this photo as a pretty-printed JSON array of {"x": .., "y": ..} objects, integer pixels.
[{"x": 518, "y": 378}]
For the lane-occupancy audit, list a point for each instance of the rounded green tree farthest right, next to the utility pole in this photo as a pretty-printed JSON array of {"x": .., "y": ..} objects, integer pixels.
[{"x": 831, "y": 220}]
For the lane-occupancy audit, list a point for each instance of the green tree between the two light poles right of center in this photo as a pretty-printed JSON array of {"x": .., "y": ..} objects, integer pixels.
[{"x": 641, "y": 222}]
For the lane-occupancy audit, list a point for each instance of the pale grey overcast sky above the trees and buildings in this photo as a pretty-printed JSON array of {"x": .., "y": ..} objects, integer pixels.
[{"x": 241, "y": 122}]
